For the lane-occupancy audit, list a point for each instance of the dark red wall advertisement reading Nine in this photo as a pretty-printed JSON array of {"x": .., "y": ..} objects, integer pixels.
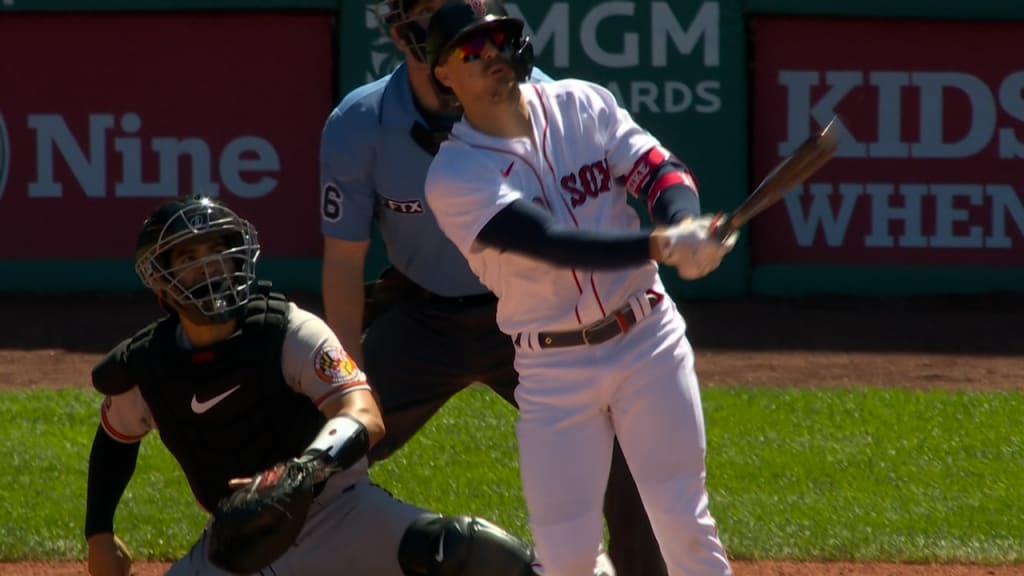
[{"x": 105, "y": 116}]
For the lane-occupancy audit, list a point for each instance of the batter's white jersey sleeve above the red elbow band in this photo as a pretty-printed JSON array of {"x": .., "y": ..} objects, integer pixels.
[{"x": 624, "y": 140}]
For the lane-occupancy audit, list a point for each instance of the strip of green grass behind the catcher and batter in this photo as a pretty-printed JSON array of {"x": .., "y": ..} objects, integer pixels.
[{"x": 802, "y": 475}]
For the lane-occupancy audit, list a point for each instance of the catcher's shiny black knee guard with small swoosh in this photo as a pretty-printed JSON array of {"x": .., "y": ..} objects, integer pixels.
[{"x": 436, "y": 546}]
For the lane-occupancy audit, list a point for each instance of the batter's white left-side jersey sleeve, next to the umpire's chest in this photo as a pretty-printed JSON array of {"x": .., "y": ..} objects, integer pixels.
[{"x": 465, "y": 190}]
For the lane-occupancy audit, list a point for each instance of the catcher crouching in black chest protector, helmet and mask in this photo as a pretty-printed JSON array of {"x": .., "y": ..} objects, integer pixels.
[{"x": 271, "y": 422}]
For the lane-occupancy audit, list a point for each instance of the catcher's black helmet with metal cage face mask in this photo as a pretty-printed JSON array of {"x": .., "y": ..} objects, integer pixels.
[{"x": 214, "y": 287}]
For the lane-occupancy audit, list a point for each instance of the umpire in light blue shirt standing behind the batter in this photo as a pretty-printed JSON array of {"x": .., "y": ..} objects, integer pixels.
[{"x": 431, "y": 325}]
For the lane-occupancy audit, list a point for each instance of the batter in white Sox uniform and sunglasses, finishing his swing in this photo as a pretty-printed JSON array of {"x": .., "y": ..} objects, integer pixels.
[{"x": 532, "y": 187}]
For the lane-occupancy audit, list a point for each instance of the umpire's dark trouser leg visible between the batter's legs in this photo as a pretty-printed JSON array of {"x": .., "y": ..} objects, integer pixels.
[{"x": 632, "y": 546}]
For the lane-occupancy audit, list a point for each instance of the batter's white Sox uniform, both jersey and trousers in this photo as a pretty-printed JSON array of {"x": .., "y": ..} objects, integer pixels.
[{"x": 639, "y": 388}]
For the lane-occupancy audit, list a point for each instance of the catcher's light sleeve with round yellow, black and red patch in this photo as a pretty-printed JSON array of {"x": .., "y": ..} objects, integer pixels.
[{"x": 314, "y": 362}]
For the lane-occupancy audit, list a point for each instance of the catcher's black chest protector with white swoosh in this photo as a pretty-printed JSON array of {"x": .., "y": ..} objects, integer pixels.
[{"x": 225, "y": 412}]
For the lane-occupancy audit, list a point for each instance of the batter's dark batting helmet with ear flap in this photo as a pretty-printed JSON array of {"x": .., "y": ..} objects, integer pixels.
[{"x": 457, "y": 21}]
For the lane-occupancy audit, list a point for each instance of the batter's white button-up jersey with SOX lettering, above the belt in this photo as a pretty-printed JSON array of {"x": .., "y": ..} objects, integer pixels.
[{"x": 586, "y": 144}]
